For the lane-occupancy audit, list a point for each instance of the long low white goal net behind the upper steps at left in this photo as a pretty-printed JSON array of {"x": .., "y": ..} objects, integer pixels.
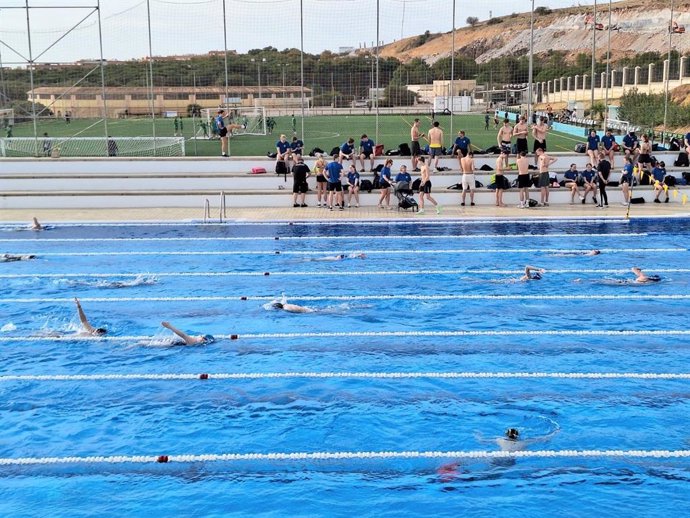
[{"x": 92, "y": 146}]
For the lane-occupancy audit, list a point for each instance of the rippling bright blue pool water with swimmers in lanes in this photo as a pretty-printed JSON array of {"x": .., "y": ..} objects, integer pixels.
[{"x": 419, "y": 280}]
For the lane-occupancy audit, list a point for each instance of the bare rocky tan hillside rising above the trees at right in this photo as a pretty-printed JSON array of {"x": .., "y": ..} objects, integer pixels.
[{"x": 642, "y": 26}]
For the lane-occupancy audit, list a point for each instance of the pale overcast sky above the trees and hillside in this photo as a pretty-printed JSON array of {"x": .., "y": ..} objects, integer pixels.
[{"x": 181, "y": 27}]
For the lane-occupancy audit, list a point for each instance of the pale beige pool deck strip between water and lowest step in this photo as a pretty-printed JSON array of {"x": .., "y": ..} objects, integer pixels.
[{"x": 647, "y": 210}]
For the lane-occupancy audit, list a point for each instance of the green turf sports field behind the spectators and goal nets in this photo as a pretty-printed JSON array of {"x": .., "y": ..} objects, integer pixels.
[{"x": 323, "y": 132}]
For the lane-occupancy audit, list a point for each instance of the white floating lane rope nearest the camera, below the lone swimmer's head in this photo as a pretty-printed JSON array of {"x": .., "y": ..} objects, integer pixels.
[{"x": 345, "y": 455}]
